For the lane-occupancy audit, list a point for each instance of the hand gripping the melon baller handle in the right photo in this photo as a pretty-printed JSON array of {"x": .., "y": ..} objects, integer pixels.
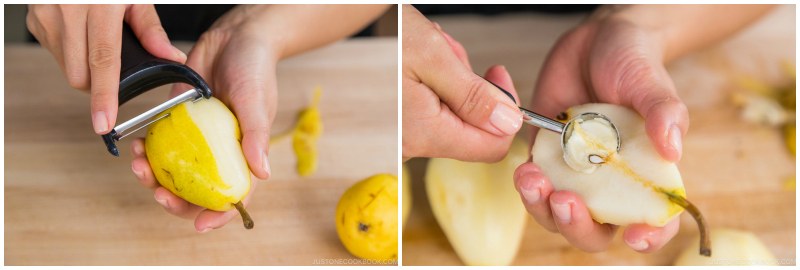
[{"x": 448, "y": 111}]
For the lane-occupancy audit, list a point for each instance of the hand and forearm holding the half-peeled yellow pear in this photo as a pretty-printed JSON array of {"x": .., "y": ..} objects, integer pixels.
[{"x": 237, "y": 56}]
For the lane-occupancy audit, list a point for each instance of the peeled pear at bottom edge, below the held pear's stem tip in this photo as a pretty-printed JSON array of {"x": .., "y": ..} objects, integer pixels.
[{"x": 731, "y": 247}]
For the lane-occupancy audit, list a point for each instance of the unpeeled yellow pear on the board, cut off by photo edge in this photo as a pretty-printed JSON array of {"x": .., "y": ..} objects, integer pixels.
[{"x": 366, "y": 218}]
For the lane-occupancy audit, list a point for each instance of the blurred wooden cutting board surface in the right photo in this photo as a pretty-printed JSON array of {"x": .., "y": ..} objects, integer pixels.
[{"x": 734, "y": 171}]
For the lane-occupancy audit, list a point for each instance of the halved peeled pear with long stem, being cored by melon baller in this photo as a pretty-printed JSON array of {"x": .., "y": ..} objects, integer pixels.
[{"x": 634, "y": 185}]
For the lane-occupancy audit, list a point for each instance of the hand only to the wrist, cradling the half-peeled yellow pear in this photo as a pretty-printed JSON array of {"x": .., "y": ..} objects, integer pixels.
[{"x": 234, "y": 60}]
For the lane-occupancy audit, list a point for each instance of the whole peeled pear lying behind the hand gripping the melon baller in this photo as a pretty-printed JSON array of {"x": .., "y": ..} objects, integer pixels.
[{"x": 477, "y": 206}]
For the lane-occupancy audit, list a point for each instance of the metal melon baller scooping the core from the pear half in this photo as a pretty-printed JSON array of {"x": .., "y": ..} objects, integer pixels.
[{"x": 565, "y": 130}]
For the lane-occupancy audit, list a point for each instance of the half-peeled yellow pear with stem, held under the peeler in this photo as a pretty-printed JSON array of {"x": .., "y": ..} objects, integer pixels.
[{"x": 196, "y": 153}]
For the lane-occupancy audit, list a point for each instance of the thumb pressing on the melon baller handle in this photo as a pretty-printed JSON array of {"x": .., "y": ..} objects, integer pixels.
[{"x": 472, "y": 98}]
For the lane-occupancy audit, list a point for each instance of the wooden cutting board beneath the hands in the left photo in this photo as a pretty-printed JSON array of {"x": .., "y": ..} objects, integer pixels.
[{"x": 68, "y": 202}]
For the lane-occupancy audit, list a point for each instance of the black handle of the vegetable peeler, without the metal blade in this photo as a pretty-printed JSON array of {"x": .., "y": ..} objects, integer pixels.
[{"x": 141, "y": 71}]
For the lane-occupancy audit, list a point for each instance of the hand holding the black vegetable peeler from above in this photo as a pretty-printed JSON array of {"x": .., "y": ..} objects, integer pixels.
[{"x": 86, "y": 40}]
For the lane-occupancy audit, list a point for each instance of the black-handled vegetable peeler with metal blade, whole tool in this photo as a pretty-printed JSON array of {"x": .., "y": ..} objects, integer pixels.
[{"x": 140, "y": 72}]
